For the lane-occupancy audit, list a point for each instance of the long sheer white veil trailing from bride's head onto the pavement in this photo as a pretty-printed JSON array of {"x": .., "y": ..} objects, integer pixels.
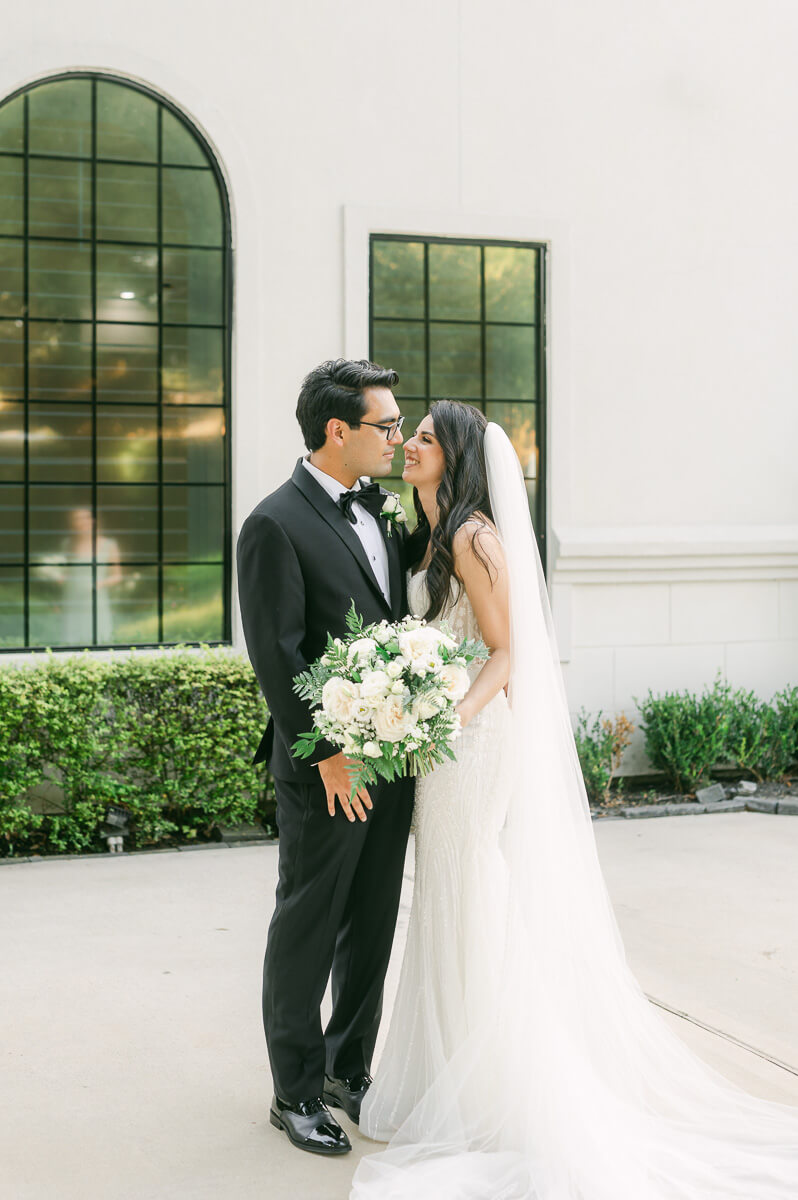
[{"x": 574, "y": 1088}]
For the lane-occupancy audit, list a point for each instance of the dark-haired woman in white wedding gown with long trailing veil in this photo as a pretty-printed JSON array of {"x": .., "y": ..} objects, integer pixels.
[{"x": 524, "y": 1061}]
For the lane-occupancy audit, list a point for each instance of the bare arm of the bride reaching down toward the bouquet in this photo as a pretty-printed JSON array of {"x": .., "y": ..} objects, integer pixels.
[{"x": 488, "y": 592}]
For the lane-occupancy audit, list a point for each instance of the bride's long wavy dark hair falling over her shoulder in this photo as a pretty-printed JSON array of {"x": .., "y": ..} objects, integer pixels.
[{"x": 463, "y": 494}]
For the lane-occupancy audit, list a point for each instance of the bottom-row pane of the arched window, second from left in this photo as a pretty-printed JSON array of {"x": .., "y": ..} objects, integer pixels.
[{"x": 61, "y": 607}]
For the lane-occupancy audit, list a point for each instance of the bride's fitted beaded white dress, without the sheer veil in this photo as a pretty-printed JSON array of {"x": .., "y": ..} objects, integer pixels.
[{"x": 454, "y": 947}]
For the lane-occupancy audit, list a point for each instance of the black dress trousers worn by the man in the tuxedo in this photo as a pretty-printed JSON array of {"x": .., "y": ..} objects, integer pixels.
[{"x": 338, "y": 899}]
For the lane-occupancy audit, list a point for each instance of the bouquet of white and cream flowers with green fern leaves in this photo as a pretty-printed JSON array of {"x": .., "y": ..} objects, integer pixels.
[{"x": 387, "y": 695}]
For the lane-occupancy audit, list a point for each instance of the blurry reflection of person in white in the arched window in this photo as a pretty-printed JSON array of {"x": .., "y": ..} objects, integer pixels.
[{"x": 77, "y": 585}]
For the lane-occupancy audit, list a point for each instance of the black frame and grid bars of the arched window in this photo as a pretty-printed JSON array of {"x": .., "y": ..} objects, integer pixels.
[{"x": 225, "y": 327}]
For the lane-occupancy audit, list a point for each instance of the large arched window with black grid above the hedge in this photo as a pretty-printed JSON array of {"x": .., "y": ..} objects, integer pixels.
[{"x": 115, "y": 371}]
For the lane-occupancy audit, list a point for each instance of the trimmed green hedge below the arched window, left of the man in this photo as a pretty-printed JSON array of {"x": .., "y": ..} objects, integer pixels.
[{"x": 170, "y": 736}]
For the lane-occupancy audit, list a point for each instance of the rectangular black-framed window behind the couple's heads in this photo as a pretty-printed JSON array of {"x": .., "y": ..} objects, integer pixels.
[{"x": 464, "y": 320}]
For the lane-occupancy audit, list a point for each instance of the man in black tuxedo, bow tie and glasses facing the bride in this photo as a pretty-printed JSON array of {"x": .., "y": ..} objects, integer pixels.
[{"x": 304, "y": 555}]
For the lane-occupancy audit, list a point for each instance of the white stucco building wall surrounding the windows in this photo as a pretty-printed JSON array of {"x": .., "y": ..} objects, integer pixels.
[{"x": 650, "y": 145}]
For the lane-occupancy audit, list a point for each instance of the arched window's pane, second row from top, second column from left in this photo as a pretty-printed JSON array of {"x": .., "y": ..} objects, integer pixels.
[{"x": 61, "y": 199}]
